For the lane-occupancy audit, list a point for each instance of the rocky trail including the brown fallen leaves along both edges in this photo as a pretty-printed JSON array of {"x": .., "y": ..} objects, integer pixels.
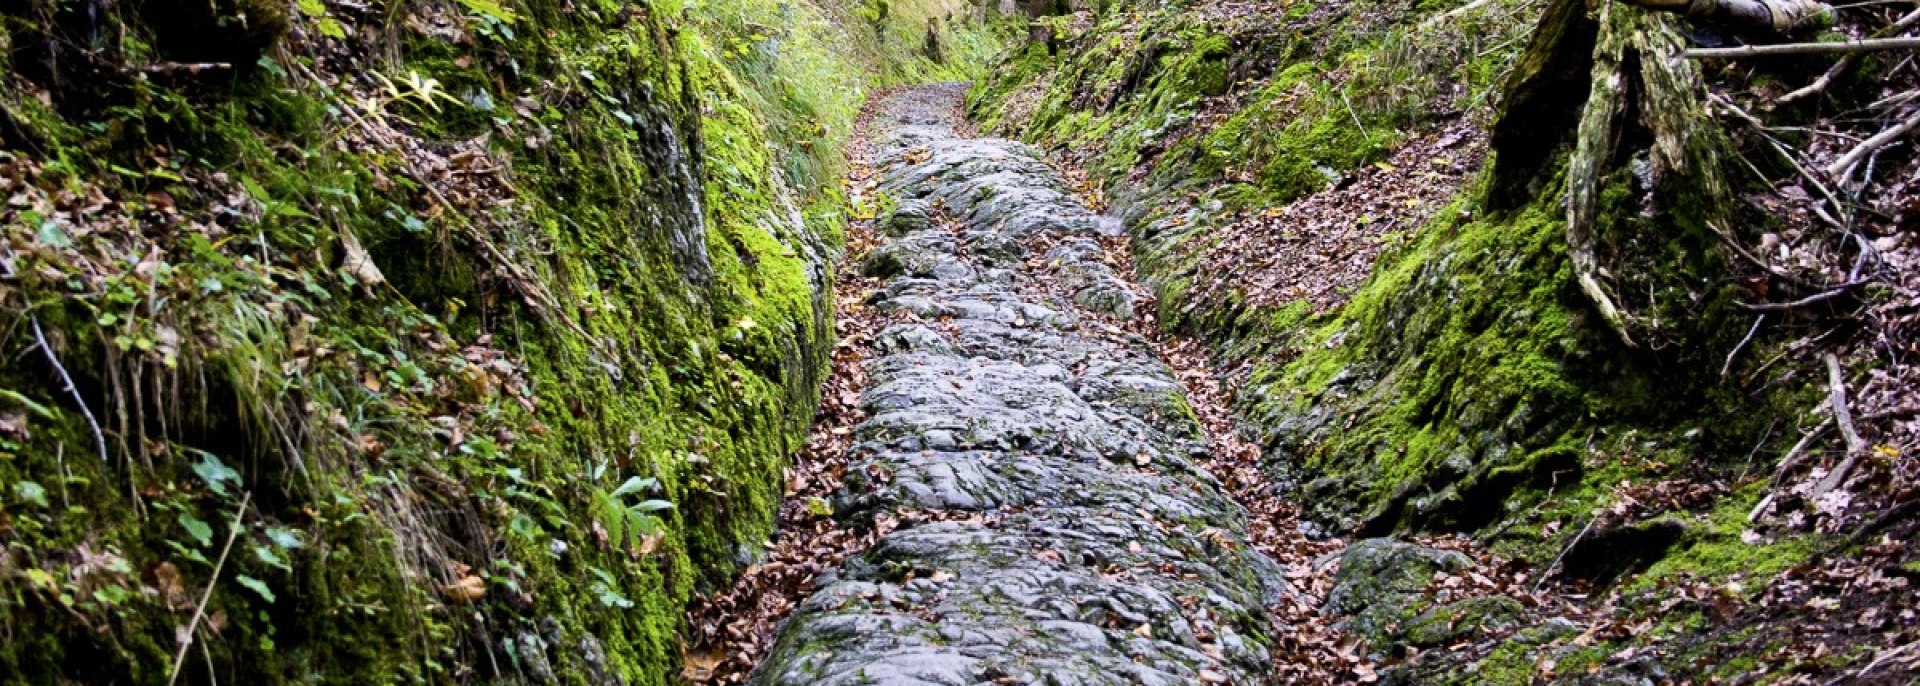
[{"x": 1032, "y": 483}]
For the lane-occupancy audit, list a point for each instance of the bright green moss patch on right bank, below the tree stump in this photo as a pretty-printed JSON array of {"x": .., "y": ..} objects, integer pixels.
[{"x": 1451, "y": 374}]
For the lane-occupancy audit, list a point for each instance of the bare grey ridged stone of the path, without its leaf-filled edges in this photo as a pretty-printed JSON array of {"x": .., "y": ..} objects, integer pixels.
[{"x": 1070, "y": 533}]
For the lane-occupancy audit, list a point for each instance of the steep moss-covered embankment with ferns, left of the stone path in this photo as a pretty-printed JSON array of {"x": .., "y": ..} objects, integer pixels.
[{"x": 410, "y": 341}]
